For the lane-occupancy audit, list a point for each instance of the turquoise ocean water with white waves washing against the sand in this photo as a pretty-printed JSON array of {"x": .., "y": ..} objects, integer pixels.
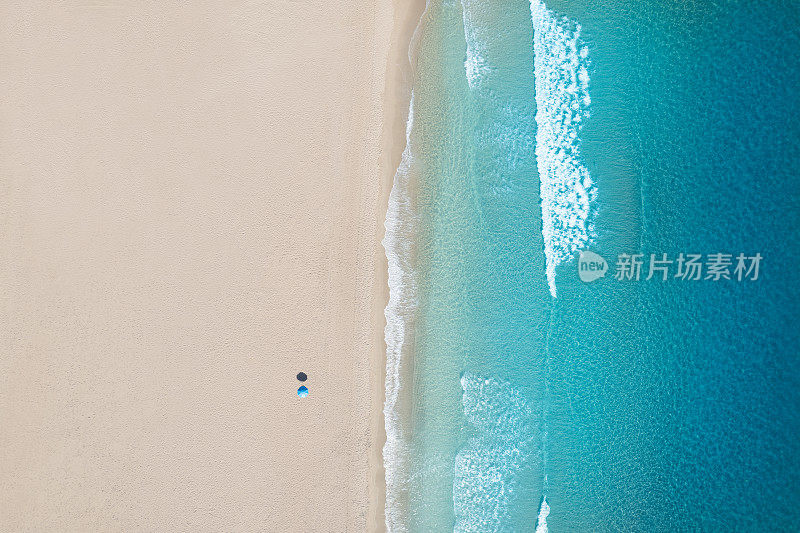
[{"x": 520, "y": 398}]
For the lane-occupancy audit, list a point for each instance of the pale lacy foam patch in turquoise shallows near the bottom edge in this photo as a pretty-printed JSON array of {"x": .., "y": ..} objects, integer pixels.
[{"x": 487, "y": 468}]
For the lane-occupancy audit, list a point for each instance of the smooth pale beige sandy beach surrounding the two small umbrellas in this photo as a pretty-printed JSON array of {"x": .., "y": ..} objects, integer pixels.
[{"x": 192, "y": 204}]
